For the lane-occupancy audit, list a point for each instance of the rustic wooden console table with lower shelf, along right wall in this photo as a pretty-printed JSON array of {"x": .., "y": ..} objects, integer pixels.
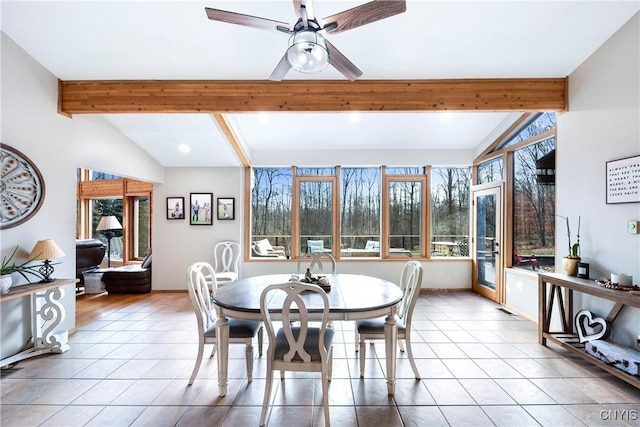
[{"x": 561, "y": 288}]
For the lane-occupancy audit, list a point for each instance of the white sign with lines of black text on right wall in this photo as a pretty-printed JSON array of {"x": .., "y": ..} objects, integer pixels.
[{"x": 623, "y": 180}]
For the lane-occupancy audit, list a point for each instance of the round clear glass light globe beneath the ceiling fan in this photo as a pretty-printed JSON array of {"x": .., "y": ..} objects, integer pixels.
[{"x": 307, "y": 53}]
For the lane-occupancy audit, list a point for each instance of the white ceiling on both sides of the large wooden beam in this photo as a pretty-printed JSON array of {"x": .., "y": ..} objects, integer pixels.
[{"x": 113, "y": 40}]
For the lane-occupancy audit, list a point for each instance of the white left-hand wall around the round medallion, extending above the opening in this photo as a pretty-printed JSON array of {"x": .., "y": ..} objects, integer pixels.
[{"x": 57, "y": 145}]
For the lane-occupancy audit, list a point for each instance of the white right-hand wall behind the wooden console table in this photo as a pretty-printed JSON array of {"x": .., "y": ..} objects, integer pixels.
[{"x": 603, "y": 123}]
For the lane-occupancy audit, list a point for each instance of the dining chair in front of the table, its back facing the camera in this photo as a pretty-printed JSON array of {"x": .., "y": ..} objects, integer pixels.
[{"x": 306, "y": 348}]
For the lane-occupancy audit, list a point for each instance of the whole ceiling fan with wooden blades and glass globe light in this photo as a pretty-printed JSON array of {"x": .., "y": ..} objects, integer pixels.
[{"x": 309, "y": 51}]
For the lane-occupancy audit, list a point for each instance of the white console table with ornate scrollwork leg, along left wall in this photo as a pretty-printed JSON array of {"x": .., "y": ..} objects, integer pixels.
[{"x": 46, "y": 314}]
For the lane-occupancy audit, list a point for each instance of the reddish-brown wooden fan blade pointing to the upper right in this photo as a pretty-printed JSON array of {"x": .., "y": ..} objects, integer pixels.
[{"x": 363, "y": 14}]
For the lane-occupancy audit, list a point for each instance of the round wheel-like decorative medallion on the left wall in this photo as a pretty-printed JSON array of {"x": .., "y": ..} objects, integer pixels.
[{"x": 21, "y": 187}]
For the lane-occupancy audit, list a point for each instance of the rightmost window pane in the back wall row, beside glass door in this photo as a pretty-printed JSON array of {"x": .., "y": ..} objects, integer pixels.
[{"x": 450, "y": 193}]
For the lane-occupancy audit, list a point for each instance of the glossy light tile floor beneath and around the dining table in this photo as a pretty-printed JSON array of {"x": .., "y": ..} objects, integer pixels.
[{"x": 480, "y": 367}]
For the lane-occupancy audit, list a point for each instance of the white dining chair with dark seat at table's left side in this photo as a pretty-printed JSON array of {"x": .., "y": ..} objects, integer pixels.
[{"x": 240, "y": 331}]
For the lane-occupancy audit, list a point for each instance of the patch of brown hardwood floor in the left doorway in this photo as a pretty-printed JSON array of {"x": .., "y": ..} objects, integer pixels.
[{"x": 90, "y": 307}]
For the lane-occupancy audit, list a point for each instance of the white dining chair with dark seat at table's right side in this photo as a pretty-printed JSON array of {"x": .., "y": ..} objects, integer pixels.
[{"x": 373, "y": 329}]
